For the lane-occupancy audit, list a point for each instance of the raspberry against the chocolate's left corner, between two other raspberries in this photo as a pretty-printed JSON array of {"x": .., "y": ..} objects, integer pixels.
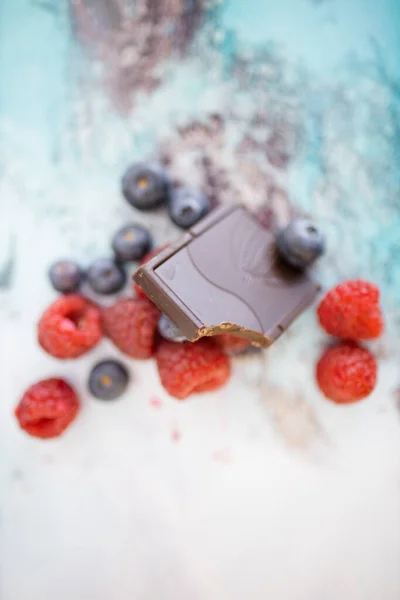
[{"x": 131, "y": 324}]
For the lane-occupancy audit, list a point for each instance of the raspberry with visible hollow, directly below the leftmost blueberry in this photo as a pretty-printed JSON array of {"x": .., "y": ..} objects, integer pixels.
[{"x": 70, "y": 327}]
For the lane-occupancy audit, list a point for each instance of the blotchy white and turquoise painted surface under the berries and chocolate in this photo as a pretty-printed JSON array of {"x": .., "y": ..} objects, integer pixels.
[{"x": 265, "y": 488}]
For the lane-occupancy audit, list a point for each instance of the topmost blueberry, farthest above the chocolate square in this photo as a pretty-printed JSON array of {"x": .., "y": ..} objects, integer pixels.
[{"x": 145, "y": 186}]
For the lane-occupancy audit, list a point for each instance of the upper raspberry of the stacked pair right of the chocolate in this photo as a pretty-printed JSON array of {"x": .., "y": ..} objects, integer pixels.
[{"x": 351, "y": 311}]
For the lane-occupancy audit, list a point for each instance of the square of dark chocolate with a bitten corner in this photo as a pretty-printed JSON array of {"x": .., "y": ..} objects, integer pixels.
[{"x": 225, "y": 276}]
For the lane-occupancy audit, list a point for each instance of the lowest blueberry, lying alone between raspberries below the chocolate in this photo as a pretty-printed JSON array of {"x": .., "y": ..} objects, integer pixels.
[{"x": 108, "y": 380}]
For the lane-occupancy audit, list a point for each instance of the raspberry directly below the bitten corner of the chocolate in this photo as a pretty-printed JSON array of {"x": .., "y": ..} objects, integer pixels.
[{"x": 192, "y": 368}]
